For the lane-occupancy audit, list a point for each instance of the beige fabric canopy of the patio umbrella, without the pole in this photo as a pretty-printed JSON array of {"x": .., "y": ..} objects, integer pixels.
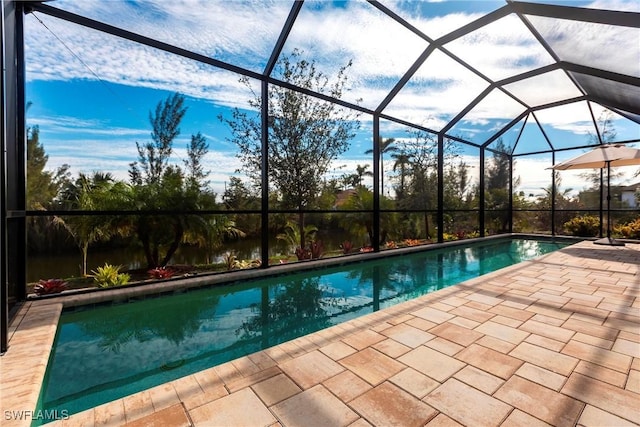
[{"x": 602, "y": 157}]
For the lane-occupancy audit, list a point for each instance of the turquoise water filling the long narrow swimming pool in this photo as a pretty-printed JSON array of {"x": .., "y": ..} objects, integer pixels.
[{"x": 106, "y": 352}]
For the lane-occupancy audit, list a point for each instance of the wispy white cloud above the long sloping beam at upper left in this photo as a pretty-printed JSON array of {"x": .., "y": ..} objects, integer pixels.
[{"x": 215, "y": 28}]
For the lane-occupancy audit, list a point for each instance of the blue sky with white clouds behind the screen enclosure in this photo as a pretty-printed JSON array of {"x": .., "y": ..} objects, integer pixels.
[{"x": 91, "y": 93}]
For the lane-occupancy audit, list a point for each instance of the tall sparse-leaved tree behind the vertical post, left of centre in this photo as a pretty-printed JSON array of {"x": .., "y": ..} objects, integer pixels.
[{"x": 305, "y": 133}]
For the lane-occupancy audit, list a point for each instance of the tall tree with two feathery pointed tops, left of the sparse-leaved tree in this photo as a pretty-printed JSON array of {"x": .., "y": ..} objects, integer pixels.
[{"x": 159, "y": 185}]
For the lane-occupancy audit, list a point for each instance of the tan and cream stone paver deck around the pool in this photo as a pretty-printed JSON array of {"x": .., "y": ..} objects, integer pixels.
[{"x": 552, "y": 341}]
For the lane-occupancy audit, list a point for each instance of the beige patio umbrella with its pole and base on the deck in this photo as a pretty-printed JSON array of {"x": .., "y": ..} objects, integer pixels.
[{"x": 604, "y": 156}]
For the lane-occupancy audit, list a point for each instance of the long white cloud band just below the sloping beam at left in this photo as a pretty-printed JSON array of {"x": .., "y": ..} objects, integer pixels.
[{"x": 90, "y": 55}]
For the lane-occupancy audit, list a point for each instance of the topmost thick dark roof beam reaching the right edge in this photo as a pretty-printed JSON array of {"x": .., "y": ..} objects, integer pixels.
[{"x": 596, "y": 16}]
